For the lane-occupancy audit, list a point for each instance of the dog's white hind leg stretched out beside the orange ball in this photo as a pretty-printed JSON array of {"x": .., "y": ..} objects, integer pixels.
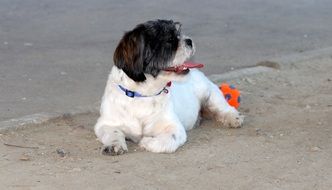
[{"x": 221, "y": 110}]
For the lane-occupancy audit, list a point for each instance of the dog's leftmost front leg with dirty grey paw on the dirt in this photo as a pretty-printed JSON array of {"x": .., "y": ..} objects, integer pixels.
[{"x": 112, "y": 138}]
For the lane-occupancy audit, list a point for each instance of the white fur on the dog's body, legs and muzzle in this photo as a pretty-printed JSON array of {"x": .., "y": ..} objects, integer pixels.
[{"x": 159, "y": 123}]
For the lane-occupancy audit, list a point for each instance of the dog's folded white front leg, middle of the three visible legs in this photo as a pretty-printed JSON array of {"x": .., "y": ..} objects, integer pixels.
[{"x": 164, "y": 137}]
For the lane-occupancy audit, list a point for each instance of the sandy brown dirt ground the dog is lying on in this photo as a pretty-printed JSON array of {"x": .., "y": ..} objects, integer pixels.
[{"x": 285, "y": 143}]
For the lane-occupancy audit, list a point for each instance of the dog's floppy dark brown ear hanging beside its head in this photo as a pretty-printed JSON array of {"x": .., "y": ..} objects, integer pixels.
[{"x": 128, "y": 56}]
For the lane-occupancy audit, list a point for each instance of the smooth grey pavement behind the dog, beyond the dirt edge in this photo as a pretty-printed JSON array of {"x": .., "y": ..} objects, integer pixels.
[{"x": 55, "y": 55}]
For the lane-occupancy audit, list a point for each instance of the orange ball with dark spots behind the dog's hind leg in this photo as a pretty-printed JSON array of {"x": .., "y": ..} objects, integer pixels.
[{"x": 232, "y": 95}]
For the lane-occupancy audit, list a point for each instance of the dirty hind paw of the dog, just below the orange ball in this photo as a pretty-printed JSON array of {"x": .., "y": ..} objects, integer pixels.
[{"x": 231, "y": 119}]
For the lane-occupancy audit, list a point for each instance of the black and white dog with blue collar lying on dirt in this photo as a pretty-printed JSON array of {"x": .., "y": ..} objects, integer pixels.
[{"x": 153, "y": 96}]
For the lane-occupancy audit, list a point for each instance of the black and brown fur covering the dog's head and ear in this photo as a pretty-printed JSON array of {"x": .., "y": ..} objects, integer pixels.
[{"x": 148, "y": 48}]
